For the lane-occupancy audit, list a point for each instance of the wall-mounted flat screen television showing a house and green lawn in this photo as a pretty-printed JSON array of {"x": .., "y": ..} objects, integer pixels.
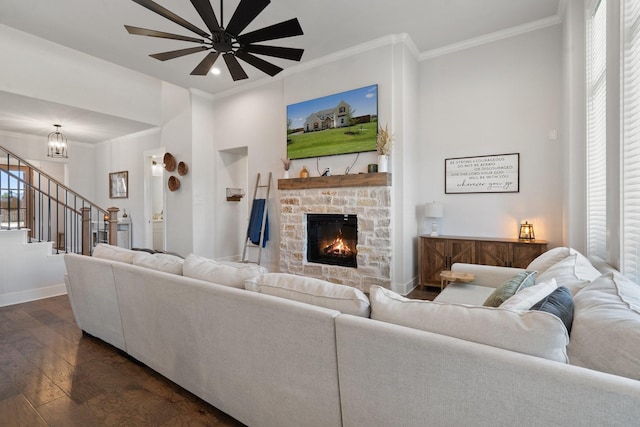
[{"x": 342, "y": 123}]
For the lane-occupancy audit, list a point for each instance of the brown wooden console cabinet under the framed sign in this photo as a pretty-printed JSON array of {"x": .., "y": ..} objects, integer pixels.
[{"x": 440, "y": 253}]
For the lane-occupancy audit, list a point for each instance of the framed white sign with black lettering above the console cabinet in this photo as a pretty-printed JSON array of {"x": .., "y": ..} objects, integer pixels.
[{"x": 482, "y": 174}]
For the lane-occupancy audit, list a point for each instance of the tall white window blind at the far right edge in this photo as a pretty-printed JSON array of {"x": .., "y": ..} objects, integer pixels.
[{"x": 631, "y": 139}]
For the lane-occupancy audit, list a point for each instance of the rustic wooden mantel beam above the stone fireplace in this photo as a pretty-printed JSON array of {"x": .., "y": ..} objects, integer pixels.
[{"x": 382, "y": 179}]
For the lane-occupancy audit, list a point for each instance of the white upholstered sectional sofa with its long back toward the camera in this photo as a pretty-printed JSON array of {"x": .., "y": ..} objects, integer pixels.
[{"x": 278, "y": 356}]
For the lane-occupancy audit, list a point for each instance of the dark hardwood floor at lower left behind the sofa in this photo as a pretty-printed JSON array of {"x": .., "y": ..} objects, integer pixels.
[{"x": 53, "y": 375}]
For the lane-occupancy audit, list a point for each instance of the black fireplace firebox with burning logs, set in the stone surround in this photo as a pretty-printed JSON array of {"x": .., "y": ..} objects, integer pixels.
[{"x": 332, "y": 239}]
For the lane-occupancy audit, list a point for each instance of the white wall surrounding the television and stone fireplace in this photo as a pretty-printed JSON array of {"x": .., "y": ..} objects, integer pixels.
[{"x": 256, "y": 119}]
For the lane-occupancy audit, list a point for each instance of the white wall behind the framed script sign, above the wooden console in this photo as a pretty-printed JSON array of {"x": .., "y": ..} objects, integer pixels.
[{"x": 497, "y": 98}]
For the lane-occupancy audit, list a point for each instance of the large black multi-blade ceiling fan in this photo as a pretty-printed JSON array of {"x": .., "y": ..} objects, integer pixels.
[{"x": 226, "y": 41}]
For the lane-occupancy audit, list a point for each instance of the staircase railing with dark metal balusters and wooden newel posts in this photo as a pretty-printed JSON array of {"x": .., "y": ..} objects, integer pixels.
[{"x": 52, "y": 212}]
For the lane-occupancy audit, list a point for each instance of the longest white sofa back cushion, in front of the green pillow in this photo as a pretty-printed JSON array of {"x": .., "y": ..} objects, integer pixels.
[{"x": 529, "y": 332}]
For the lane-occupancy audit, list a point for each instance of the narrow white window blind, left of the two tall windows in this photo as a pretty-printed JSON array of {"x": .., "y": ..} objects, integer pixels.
[{"x": 596, "y": 131}]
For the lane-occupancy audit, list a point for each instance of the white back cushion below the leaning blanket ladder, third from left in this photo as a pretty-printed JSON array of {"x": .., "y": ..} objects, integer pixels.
[{"x": 206, "y": 269}]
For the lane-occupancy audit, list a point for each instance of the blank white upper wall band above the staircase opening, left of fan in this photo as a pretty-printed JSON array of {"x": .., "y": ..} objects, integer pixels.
[{"x": 40, "y": 69}]
